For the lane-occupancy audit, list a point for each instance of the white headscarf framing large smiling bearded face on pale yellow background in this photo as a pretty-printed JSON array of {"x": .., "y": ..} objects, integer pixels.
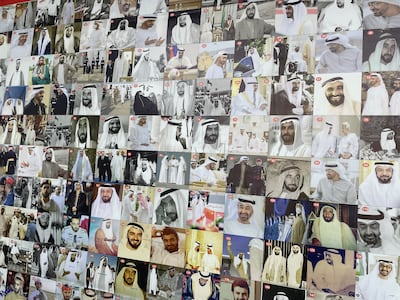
[{"x": 323, "y": 107}]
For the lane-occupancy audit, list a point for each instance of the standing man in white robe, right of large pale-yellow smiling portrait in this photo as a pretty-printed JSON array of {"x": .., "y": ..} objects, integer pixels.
[{"x": 377, "y": 102}]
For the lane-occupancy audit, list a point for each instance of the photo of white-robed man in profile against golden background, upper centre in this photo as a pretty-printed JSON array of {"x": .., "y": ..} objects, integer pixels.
[{"x": 215, "y": 60}]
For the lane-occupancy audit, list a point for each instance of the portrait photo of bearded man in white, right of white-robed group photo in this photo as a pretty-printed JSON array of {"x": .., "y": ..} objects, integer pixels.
[{"x": 290, "y": 136}]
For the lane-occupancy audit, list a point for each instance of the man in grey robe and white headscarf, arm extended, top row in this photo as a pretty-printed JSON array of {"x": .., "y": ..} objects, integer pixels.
[{"x": 251, "y": 25}]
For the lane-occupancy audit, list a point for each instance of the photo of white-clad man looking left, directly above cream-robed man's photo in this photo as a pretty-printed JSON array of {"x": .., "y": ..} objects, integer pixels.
[{"x": 334, "y": 181}]
